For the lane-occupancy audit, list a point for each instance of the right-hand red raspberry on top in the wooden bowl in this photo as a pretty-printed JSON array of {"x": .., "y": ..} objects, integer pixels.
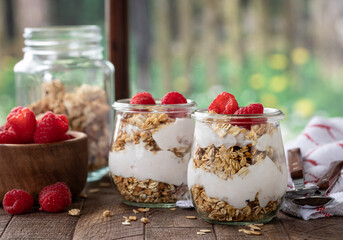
[{"x": 51, "y": 128}]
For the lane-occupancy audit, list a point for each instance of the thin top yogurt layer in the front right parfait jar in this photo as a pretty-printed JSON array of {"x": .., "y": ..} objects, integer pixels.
[{"x": 206, "y": 136}]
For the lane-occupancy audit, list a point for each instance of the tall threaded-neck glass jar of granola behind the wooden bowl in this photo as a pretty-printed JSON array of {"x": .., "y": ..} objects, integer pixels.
[{"x": 63, "y": 71}]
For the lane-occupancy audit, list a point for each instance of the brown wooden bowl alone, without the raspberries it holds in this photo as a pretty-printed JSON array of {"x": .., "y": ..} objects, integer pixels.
[{"x": 31, "y": 167}]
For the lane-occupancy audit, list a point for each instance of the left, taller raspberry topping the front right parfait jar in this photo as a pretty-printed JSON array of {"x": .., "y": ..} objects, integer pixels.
[{"x": 224, "y": 103}]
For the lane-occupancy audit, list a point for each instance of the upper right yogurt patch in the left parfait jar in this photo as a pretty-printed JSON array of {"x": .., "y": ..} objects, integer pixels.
[{"x": 175, "y": 135}]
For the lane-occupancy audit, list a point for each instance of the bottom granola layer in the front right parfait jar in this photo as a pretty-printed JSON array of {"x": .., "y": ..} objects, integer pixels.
[{"x": 217, "y": 210}]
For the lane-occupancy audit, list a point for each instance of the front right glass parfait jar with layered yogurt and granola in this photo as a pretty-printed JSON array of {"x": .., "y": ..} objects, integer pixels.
[{"x": 237, "y": 173}]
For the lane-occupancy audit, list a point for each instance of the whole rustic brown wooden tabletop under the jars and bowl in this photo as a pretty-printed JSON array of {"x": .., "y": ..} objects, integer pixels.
[{"x": 164, "y": 223}]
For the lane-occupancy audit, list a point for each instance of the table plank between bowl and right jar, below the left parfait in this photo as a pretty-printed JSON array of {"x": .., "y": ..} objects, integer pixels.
[{"x": 93, "y": 225}]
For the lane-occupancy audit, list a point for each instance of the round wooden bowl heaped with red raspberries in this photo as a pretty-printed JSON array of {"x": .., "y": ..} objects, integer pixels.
[{"x": 36, "y": 153}]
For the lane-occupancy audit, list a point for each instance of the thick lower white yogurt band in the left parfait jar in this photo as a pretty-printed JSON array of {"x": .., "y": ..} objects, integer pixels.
[{"x": 136, "y": 161}]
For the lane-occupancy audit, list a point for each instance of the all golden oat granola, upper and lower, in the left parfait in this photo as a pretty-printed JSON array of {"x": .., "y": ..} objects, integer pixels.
[{"x": 137, "y": 128}]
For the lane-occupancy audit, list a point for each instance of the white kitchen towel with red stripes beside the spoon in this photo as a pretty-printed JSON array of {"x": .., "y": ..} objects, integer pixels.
[{"x": 321, "y": 143}]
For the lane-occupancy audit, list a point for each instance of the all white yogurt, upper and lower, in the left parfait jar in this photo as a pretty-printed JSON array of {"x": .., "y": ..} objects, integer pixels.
[{"x": 164, "y": 165}]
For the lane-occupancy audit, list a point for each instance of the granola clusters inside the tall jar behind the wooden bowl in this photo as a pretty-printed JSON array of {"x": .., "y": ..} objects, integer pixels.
[{"x": 86, "y": 109}]
